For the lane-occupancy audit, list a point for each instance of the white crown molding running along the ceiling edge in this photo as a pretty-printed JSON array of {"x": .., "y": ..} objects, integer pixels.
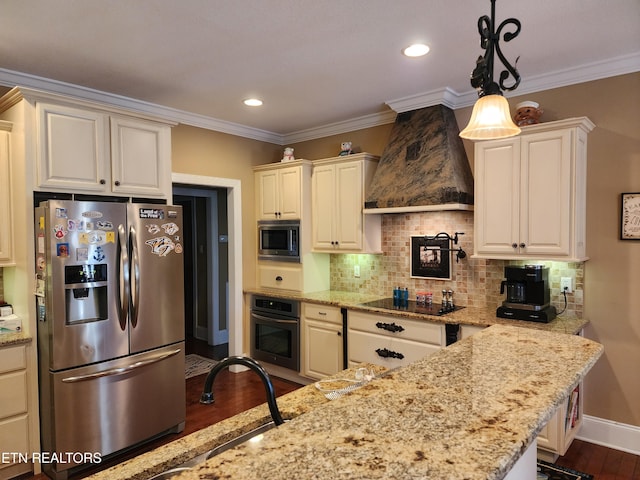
[{"x": 445, "y": 96}]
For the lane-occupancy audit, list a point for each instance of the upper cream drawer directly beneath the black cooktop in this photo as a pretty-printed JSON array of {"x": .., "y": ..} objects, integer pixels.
[{"x": 418, "y": 330}]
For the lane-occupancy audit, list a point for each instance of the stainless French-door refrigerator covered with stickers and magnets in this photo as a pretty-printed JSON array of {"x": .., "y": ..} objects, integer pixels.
[{"x": 110, "y": 306}]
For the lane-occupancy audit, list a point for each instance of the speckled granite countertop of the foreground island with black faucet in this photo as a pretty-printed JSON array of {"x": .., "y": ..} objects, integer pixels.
[{"x": 467, "y": 411}]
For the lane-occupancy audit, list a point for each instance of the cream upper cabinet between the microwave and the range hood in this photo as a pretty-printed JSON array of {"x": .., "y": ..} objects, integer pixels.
[{"x": 339, "y": 186}]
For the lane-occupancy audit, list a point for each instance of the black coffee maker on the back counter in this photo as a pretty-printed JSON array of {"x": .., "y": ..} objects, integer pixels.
[{"x": 528, "y": 296}]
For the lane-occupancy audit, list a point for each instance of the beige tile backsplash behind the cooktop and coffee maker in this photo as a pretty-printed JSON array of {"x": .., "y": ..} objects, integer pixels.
[{"x": 475, "y": 282}]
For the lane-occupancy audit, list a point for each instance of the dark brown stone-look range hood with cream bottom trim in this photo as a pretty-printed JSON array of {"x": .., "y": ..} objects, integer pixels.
[{"x": 424, "y": 167}]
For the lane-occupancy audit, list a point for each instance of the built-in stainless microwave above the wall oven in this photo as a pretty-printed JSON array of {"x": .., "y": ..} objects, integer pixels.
[{"x": 279, "y": 240}]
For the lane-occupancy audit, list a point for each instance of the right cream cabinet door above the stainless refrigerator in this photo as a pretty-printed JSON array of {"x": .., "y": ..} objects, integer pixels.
[{"x": 140, "y": 156}]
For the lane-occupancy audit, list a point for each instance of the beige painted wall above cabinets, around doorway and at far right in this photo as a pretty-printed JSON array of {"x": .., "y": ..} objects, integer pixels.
[{"x": 611, "y": 276}]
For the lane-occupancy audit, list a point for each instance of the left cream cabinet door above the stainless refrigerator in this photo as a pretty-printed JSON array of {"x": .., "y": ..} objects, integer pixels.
[{"x": 72, "y": 148}]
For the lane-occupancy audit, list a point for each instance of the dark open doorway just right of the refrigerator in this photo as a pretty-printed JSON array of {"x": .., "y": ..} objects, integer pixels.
[{"x": 206, "y": 256}]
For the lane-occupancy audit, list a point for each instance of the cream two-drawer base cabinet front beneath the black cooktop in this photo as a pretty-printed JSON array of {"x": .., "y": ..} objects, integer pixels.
[{"x": 391, "y": 341}]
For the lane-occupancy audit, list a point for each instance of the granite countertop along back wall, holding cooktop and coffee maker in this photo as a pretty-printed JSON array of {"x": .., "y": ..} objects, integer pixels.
[{"x": 482, "y": 317}]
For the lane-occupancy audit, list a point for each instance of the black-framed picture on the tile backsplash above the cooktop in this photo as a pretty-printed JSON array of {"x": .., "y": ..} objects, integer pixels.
[{"x": 430, "y": 258}]
